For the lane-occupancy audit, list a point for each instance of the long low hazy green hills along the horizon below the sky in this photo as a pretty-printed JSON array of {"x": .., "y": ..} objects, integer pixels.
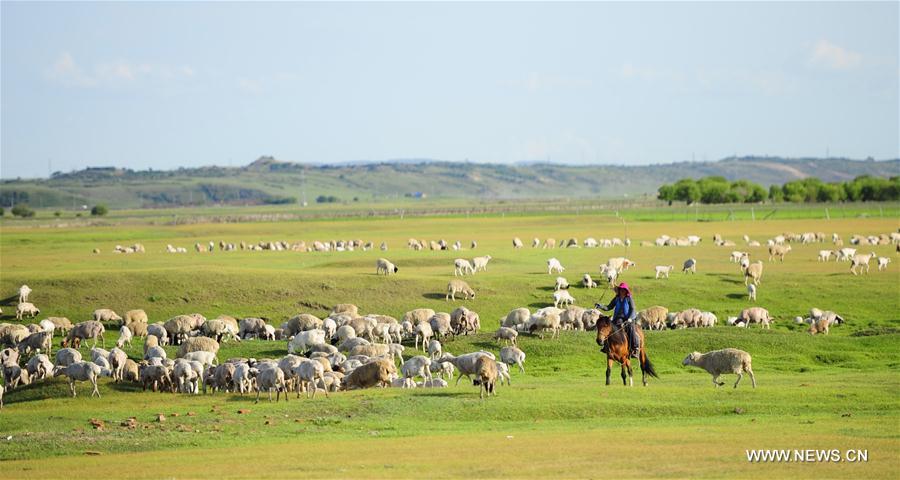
[{"x": 267, "y": 180}]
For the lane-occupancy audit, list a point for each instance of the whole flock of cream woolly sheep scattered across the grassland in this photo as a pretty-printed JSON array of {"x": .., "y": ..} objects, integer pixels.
[{"x": 347, "y": 350}]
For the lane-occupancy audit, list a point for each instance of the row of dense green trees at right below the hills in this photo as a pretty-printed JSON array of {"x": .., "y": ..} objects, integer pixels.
[{"x": 710, "y": 190}]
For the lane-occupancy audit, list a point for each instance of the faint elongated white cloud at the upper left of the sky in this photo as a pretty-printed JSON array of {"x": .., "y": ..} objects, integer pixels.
[{"x": 70, "y": 73}]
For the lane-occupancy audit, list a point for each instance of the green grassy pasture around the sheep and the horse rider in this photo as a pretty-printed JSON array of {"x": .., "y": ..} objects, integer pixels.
[{"x": 557, "y": 420}]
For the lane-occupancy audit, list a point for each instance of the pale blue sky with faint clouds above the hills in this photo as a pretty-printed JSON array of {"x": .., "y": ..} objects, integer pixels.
[{"x": 164, "y": 85}]
